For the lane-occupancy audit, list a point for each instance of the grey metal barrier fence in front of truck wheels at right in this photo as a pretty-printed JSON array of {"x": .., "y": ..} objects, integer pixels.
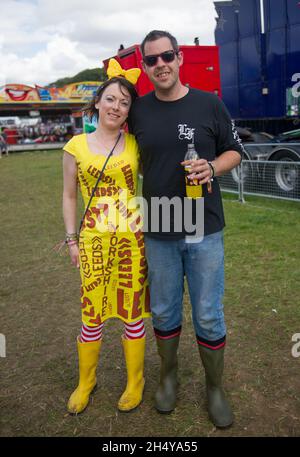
[{"x": 268, "y": 178}]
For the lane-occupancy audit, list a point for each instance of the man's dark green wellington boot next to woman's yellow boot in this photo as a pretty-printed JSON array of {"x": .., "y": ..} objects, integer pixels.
[{"x": 165, "y": 397}]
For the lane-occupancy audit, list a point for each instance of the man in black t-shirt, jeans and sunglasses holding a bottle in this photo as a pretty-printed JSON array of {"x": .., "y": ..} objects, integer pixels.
[{"x": 165, "y": 122}]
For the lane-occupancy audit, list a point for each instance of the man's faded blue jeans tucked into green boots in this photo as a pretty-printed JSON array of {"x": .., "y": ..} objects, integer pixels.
[{"x": 203, "y": 265}]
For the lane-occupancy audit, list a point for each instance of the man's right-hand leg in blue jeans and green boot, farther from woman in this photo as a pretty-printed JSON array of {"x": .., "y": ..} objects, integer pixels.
[{"x": 204, "y": 266}]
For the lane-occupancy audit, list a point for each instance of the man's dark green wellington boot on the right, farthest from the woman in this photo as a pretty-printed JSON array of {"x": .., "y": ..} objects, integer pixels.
[{"x": 219, "y": 410}]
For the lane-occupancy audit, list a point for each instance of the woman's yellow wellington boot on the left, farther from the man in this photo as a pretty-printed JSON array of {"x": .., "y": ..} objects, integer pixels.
[{"x": 88, "y": 355}]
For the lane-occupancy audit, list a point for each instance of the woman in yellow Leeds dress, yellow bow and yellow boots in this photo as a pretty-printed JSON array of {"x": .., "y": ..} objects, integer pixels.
[{"x": 110, "y": 248}]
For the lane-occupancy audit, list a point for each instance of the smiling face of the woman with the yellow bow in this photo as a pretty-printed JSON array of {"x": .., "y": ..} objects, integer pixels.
[{"x": 114, "y": 106}]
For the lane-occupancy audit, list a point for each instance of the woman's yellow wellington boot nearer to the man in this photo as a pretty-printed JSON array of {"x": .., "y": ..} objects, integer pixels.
[{"x": 134, "y": 351}]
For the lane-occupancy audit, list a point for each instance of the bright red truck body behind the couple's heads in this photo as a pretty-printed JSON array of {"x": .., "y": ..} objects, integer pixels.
[{"x": 200, "y": 68}]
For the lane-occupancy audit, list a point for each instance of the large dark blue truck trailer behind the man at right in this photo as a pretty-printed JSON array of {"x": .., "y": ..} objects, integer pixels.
[{"x": 259, "y": 47}]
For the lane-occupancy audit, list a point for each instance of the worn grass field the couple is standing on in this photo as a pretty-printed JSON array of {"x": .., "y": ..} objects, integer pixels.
[{"x": 40, "y": 319}]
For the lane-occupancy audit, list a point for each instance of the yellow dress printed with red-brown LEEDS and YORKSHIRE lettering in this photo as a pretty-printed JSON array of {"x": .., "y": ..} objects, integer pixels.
[{"x": 113, "y": 267}]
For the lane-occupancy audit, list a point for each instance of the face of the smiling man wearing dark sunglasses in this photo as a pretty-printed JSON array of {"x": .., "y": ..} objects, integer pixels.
[{"x": 164, "y": 75}]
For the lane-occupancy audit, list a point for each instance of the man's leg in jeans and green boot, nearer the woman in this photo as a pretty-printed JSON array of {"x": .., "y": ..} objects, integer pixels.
[{"x": 165, "y": 272}]
